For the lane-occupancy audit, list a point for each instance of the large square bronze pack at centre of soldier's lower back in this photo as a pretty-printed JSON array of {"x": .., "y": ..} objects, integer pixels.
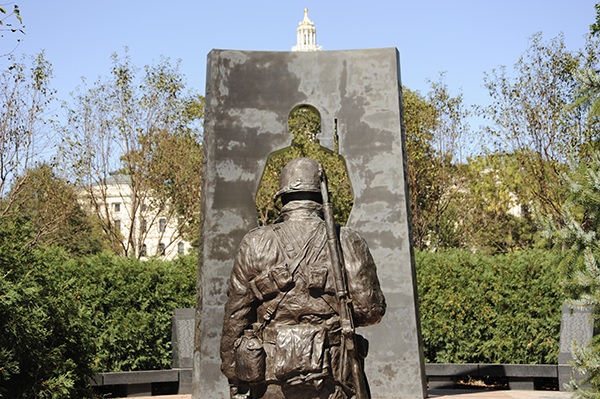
[{"x": 299, "y": 350}]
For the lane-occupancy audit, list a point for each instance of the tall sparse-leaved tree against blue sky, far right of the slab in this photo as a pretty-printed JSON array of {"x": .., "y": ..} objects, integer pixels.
[{"x": 533, "y": 118}]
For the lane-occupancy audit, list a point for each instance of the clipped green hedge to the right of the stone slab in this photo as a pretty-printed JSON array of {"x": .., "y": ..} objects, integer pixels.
[{"x": 489, "y": 309}]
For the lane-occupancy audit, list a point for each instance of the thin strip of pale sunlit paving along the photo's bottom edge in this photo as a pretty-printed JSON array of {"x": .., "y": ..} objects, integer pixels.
[{"x": 454, "y": 394}]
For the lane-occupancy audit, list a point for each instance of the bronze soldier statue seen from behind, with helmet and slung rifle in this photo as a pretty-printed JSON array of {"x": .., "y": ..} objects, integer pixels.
[{"x": 298, "y": 289}]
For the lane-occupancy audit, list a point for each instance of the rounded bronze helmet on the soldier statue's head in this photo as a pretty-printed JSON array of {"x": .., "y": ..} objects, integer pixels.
[{"x": 301, "y": 175}]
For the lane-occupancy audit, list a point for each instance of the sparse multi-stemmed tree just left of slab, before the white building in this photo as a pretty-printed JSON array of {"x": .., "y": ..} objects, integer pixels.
[{"x": 131, "y": 125}]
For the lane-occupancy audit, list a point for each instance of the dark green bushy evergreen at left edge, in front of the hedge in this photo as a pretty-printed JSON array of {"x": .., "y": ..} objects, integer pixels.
[{"x": 46, "y": 349}]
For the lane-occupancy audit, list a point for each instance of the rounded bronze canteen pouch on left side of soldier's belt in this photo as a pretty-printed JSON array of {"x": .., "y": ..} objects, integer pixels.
[{"x": 249, "y": 357}]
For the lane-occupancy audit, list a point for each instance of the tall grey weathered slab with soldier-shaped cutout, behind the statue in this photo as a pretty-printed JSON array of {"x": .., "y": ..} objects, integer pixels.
[{"x": 249, "y": 96}]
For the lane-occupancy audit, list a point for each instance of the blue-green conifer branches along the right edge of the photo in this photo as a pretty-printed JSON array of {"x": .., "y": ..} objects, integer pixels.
[{"x": 577, "y": 234}]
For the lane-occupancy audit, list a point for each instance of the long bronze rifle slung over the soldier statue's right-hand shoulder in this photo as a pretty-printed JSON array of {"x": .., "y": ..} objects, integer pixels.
[{"x": 348, "y": 344}]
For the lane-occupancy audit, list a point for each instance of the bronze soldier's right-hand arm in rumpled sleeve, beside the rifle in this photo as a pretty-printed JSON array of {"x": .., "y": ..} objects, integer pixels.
[{"x": 368, "y": 301}]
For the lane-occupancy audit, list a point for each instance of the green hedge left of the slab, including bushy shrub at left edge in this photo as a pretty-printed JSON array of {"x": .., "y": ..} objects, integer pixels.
[{"x": 64, "y": 318}]
